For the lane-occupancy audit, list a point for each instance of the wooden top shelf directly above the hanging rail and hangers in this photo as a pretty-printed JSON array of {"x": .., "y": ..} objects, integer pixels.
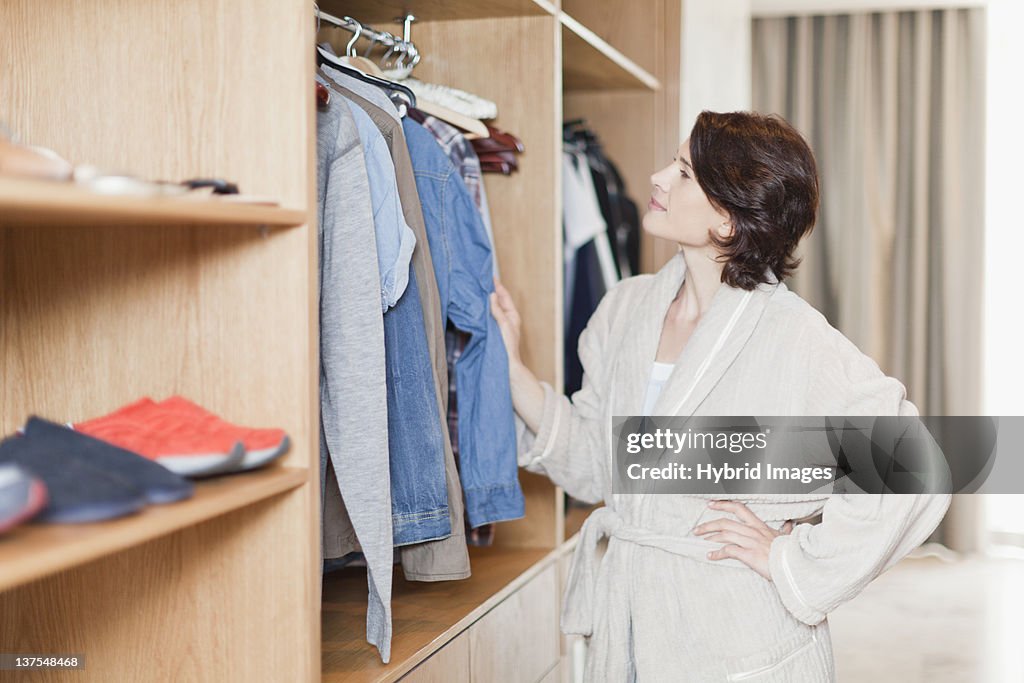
[{"x": 381, "y": 14}]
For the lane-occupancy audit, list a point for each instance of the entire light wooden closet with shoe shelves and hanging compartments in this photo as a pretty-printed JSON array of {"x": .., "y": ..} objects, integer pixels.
[{"x": 107, "y": 300}]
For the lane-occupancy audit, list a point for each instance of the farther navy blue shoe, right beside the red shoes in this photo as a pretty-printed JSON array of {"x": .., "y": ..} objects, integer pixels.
[{"x": 158, "y": 483}]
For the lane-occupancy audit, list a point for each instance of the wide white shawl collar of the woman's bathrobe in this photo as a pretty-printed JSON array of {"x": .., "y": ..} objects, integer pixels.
[{"x": 721, "y": 334}]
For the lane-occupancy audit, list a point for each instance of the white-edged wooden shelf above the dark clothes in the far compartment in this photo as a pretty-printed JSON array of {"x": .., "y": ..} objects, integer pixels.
[{"x": 591, "y": 64}]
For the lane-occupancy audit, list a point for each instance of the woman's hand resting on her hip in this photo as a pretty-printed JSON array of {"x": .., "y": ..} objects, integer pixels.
[{"x": 749, "y": 540}]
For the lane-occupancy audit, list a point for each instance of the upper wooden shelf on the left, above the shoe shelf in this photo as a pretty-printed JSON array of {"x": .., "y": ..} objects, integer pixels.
[{"x": 36, "y": 202}]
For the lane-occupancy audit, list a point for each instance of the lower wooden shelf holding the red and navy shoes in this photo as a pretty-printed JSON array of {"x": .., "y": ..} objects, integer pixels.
[{"x": 34, "y": 551}]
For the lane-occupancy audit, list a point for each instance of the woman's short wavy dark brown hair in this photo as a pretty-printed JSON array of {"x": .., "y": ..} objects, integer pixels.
[{"x": 760, "y": 172}]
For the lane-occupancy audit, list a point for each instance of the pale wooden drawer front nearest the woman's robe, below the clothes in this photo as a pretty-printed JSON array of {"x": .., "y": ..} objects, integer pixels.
[{"x": 519, "y": 641}]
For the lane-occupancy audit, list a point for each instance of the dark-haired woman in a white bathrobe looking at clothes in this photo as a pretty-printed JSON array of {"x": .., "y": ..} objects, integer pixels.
[{"x": 692, "y": 589}]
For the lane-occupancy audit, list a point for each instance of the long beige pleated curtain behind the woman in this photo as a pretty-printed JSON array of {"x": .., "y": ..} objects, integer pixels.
[{"x": 893, "y": 107}]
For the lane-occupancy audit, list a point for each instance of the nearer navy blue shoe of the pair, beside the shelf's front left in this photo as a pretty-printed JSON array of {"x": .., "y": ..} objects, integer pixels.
[{"x": 78, "y": 492}]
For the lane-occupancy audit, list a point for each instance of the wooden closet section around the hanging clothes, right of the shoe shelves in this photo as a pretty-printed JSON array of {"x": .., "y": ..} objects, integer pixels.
[{"x": 541, "y": 66}]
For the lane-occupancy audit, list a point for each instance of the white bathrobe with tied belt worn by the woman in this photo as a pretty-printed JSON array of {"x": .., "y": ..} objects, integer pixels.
[{"x": 654, "y": 607}]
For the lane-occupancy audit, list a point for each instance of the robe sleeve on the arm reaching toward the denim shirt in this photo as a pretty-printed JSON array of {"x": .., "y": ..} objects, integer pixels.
[{"x": 571, "y": 441}]
